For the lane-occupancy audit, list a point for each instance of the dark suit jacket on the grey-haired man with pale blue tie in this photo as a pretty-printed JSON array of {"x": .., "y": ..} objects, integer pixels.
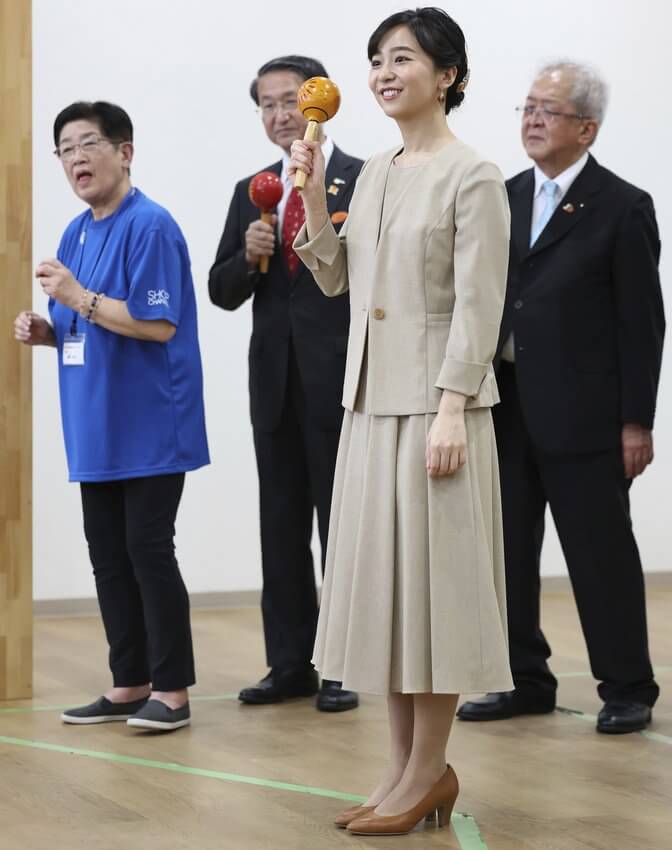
[{"x": 585, "y": 306}]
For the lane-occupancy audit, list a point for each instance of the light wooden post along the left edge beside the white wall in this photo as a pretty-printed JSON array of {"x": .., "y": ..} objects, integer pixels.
[{"x": 16, "y": 591}]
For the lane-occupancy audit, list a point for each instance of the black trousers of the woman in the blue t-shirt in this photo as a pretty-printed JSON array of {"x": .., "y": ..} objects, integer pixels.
[{"x": 130, "y": 526}]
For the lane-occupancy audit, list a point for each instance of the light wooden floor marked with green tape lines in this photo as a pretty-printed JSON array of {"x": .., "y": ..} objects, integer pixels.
[{"x": 269, "y": 778}]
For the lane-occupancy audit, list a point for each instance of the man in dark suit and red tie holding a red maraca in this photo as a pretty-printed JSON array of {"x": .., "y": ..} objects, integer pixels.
[{"x": 297, "y": 364}]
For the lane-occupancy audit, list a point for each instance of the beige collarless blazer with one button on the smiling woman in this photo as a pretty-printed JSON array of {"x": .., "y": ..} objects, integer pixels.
[{"x": 426, "y": 288}]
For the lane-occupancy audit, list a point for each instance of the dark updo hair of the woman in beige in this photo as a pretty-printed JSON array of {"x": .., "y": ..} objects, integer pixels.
[{"x": 441, "y": 39}]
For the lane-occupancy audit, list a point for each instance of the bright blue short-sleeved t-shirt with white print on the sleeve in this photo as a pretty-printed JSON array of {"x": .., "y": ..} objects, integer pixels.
[{"x": 135, "y": 408}]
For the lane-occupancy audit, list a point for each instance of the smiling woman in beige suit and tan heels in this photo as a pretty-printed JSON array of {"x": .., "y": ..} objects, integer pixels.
[{"x": 413, "y": 602}]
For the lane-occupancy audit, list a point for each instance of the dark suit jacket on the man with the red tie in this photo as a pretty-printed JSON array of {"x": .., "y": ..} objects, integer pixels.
[{"x": 285, "y": 309}]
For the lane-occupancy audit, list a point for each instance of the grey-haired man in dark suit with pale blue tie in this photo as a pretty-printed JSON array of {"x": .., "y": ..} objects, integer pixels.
[{"x": 580, "y": 347}]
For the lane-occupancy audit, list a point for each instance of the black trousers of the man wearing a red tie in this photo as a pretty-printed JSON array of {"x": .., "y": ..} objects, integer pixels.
[{"x": 296, "y": 464}]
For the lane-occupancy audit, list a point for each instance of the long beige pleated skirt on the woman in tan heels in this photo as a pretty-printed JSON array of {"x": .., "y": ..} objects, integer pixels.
[{"x": 413, "y": 599}]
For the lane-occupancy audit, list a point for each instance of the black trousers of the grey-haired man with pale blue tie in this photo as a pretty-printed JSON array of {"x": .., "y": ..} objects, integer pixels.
[{"x": 588, "y": 498}]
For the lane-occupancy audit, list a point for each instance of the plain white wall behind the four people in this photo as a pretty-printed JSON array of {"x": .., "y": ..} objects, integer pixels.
[{"x": 182, "y": 71}]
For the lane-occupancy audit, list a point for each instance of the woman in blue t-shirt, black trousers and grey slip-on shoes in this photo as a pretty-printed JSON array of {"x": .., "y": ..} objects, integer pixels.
[{"x": 123, "y": 320}]
